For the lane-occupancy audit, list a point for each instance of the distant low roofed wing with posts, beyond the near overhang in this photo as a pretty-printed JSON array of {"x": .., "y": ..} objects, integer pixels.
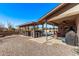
[{"x": 31, "y": 29}]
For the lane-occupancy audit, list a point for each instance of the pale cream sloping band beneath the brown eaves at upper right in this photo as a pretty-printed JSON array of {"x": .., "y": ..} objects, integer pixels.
[{"x": 67, "y": 14}]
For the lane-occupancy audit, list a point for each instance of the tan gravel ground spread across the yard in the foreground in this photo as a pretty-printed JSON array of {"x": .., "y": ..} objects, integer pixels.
[{"x": 17, "y": 45}]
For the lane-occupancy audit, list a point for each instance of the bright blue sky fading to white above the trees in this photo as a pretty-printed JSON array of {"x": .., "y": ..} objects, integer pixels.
[{"x": 20, "y": 13}]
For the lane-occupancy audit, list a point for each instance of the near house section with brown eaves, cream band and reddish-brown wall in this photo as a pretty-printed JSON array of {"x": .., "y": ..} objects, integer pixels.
[{"x": 64, "y": 16}]
